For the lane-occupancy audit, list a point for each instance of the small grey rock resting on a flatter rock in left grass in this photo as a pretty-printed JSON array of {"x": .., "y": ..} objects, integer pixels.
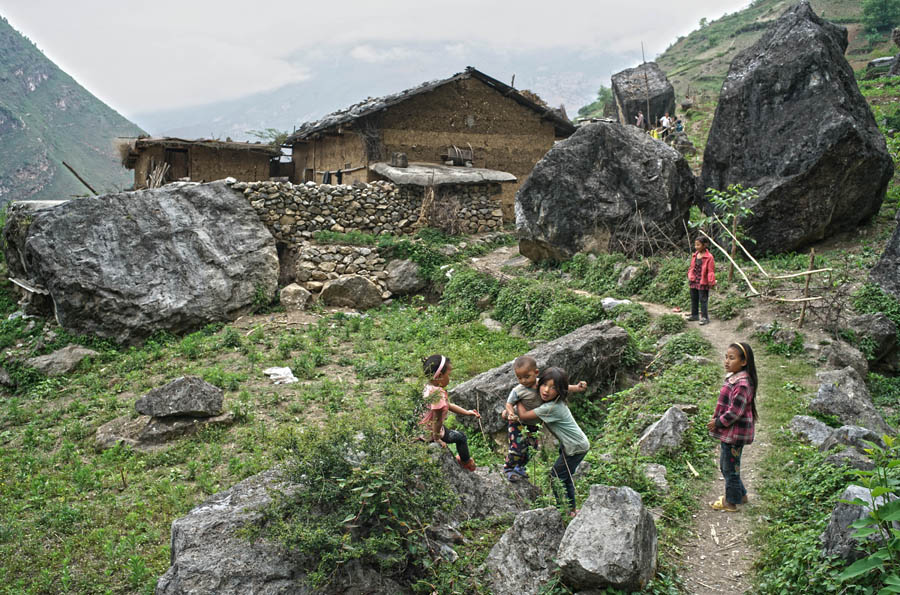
[{"x": 187, "y": 395}]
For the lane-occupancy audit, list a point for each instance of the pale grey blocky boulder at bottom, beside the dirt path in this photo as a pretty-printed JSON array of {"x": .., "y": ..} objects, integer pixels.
[{"x": 611, "y": 543}]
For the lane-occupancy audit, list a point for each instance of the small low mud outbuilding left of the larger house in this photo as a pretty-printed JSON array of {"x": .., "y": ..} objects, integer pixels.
[{"x": 201, "y": 160}]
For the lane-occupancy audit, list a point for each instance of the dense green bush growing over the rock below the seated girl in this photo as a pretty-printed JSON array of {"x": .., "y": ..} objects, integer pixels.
[{"x": 365, "y": 493}]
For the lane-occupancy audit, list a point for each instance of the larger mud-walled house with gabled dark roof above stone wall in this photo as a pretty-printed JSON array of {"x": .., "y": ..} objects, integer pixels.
[{"x": 504, "y": 129}]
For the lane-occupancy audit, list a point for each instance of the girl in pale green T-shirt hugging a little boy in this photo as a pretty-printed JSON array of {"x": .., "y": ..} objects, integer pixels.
[{"x": 553, "y": 386}]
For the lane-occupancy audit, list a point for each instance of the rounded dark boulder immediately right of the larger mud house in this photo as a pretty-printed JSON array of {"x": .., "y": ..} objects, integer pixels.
[{"x": 608, "y": 187}]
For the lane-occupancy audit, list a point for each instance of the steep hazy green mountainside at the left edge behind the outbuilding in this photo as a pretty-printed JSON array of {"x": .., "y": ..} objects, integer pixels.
[{"x": 46, "y": 118}]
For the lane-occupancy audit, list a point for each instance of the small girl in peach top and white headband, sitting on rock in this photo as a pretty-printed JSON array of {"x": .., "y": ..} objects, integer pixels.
[{"x": 437, "y": 368}]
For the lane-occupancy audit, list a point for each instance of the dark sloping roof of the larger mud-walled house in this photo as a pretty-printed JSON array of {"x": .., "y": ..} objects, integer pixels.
[{"x": 372, "y": 105}]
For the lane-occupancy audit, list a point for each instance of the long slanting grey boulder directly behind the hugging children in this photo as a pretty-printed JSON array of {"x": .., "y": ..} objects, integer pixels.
[{"x": 592, "y": 353}]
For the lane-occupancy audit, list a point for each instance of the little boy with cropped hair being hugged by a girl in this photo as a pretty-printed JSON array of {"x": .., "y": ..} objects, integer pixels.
[{"x": 526, "y": 393}]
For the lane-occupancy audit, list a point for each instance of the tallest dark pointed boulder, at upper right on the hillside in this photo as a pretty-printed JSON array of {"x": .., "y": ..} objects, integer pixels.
[{"x": 792, "y": 123}]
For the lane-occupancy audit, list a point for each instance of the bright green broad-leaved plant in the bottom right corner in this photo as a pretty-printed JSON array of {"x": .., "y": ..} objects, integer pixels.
[{"x": 877, "y": 530}]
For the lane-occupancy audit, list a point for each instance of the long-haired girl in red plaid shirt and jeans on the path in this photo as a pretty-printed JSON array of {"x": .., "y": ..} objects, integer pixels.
[{"x": 734, "y": 422}]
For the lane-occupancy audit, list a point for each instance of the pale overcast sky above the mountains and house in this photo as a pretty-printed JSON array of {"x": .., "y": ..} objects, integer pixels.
[{"x": 143, "y": 56}]
